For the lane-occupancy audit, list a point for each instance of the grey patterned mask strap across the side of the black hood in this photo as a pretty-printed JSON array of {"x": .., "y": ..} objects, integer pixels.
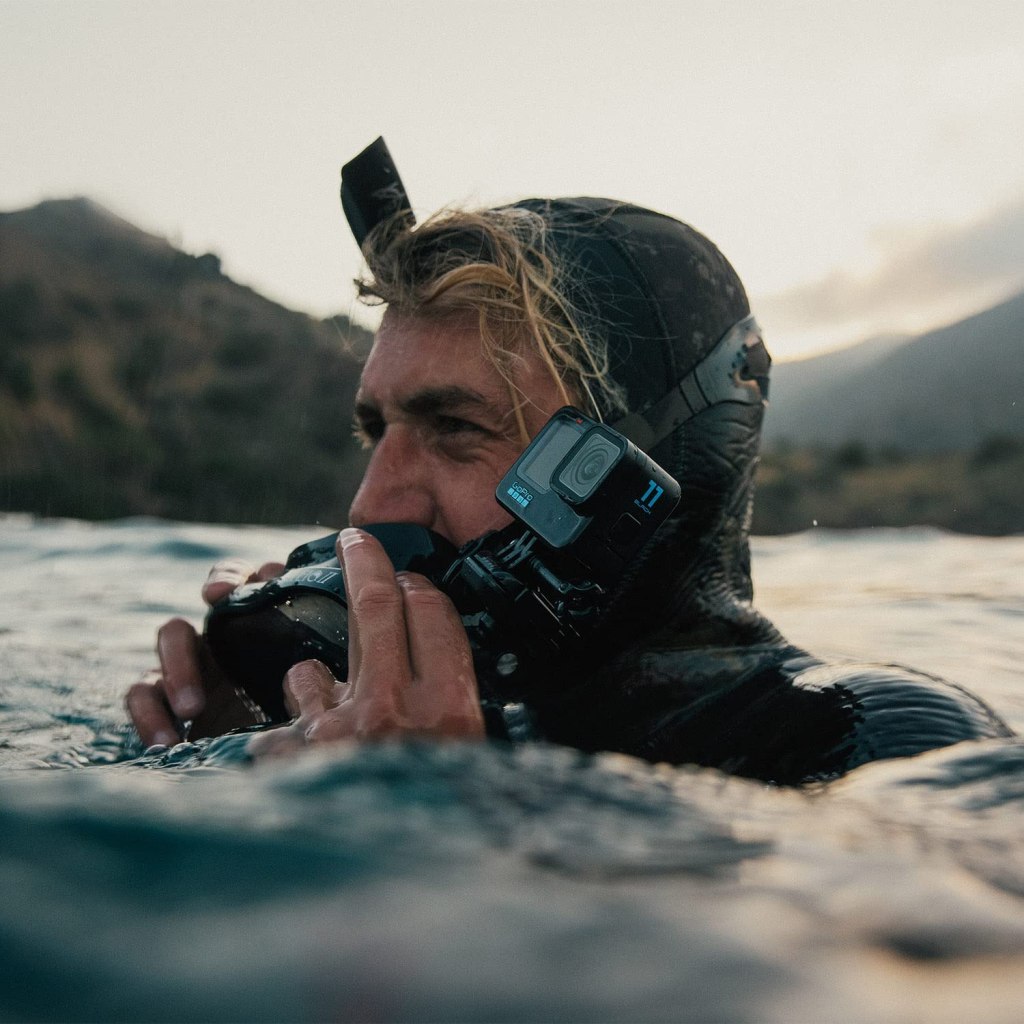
[{"x": 736, "y": 370}]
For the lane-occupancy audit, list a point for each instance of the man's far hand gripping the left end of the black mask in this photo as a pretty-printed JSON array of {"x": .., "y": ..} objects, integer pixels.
[{"x": 189, "y": 686}]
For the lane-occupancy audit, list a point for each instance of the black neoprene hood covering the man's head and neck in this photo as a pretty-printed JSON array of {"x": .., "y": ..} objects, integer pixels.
[{"x": 664, "y": 297}]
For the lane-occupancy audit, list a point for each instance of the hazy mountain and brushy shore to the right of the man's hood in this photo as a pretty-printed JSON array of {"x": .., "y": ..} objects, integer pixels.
[{"x": 900, "y": 432}]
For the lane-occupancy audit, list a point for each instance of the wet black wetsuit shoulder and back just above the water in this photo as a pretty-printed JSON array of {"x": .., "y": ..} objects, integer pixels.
[{"x": 765, "y": 712}]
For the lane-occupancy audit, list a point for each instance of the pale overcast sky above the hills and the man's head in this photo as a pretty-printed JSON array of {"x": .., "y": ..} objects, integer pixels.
[{"x": 860, "y": 163}]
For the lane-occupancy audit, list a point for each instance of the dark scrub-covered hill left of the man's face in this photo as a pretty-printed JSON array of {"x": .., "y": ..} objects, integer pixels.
[{"x": 139, "y": 380}]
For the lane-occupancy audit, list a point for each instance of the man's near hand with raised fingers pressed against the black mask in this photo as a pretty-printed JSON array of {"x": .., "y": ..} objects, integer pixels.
[{"x": 410, "y": 667}]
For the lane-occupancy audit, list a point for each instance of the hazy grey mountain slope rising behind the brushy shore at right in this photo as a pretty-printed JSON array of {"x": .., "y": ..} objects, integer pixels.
[{"x": 948, "y": 391}]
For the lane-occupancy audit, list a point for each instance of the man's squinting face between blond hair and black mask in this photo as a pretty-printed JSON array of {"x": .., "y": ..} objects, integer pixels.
[{"x": 441, "y": 422}]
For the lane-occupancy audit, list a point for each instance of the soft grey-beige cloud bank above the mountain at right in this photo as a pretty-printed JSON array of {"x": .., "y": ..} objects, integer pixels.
[{"x": 918, "y": 271}]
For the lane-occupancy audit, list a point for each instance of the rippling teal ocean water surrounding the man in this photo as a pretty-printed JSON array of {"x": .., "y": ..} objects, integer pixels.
[{"x": 415, "y": 883}]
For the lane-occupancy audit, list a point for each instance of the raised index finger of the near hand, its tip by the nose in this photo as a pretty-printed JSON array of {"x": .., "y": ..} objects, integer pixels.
[{"x": 378, "y": 652}]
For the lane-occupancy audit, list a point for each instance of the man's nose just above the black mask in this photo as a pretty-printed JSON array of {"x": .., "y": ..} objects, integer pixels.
[{"x": 396, "y": 487}]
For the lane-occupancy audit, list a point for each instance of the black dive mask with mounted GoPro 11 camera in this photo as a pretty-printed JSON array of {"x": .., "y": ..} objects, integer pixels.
[{"x": 585, "y": 501}]
